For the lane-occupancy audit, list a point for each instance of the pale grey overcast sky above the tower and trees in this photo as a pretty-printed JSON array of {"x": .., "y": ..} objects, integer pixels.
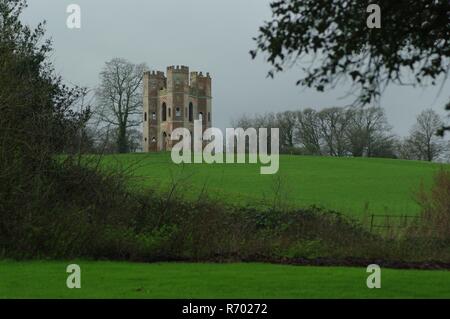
[{"x": 207, "y": 35}]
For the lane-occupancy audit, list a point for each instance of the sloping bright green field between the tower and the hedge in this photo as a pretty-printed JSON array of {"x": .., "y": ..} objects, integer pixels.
[{"x": 350, "y": 185}]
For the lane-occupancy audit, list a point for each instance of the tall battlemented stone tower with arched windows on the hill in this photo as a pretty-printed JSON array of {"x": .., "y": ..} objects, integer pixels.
[{"x": 174, "y": 100}]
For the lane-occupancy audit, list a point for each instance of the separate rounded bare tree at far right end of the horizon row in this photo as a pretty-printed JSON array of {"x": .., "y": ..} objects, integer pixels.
[{"x": 423, "y": 142}]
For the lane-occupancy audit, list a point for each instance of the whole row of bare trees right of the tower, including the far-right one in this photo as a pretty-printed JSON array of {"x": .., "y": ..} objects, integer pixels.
[{"x": 352, "y": 131}]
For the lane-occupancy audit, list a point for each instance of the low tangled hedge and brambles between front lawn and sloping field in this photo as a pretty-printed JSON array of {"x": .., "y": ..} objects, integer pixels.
[{"x": 87, "y": 214}]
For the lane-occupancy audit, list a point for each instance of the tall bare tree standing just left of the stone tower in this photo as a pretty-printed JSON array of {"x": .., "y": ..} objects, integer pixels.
[{"x": 119, "y": 98}]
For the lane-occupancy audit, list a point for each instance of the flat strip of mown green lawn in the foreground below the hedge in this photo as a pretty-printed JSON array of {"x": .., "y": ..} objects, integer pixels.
[{"x": 39, "y": 279}]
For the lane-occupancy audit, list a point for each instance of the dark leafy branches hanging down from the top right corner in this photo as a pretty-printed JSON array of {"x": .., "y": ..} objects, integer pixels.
[{"x": 413, "y": 38}]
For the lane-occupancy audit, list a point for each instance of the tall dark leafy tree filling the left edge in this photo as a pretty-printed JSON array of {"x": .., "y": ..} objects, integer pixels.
[{"x": 36, "y": 122}]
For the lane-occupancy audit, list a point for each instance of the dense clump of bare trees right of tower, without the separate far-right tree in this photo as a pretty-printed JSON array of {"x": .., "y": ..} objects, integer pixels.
[{"x": 334, "y": 131}]
